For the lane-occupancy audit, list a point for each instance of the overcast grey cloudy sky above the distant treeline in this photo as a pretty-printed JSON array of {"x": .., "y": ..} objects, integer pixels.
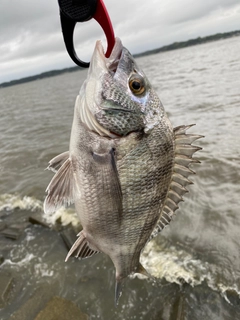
[{"x": 31, "y": 41}]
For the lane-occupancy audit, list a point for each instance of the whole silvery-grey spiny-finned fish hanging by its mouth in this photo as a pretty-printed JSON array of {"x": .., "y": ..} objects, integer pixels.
[{"x": 127, "y": 168}]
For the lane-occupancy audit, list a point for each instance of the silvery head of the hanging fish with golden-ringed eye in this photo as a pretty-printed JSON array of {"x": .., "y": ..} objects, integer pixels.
[{"x": 117, "y": 98}]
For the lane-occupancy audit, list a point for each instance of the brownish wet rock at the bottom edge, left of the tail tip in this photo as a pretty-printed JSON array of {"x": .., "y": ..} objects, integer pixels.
[{"x": 61, "y": 309}]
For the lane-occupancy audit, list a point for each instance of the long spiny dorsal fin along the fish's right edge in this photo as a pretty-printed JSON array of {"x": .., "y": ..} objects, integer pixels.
[{"x": 183, "y": 158}]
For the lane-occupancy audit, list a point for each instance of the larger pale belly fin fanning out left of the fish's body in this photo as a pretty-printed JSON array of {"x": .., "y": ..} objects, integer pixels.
[{"x": 61, "y": 189}]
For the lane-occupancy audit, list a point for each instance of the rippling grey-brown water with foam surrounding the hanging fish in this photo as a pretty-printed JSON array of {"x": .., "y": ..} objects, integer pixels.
[{"x": 197, "y": 258}]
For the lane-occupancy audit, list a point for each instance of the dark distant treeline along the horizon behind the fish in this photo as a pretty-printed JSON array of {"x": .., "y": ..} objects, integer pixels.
[{"x": 173, "y": 46}]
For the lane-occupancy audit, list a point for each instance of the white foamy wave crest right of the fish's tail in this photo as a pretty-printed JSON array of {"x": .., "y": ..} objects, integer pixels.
[{"x": 176, "y": 265}]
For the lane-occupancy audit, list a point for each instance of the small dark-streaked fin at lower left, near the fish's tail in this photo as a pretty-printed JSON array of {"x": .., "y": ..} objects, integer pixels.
[{"x": 80, "y": 248}]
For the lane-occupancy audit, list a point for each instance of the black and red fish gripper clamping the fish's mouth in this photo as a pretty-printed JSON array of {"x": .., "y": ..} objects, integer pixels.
[{"x": 73, "y": 11}]
